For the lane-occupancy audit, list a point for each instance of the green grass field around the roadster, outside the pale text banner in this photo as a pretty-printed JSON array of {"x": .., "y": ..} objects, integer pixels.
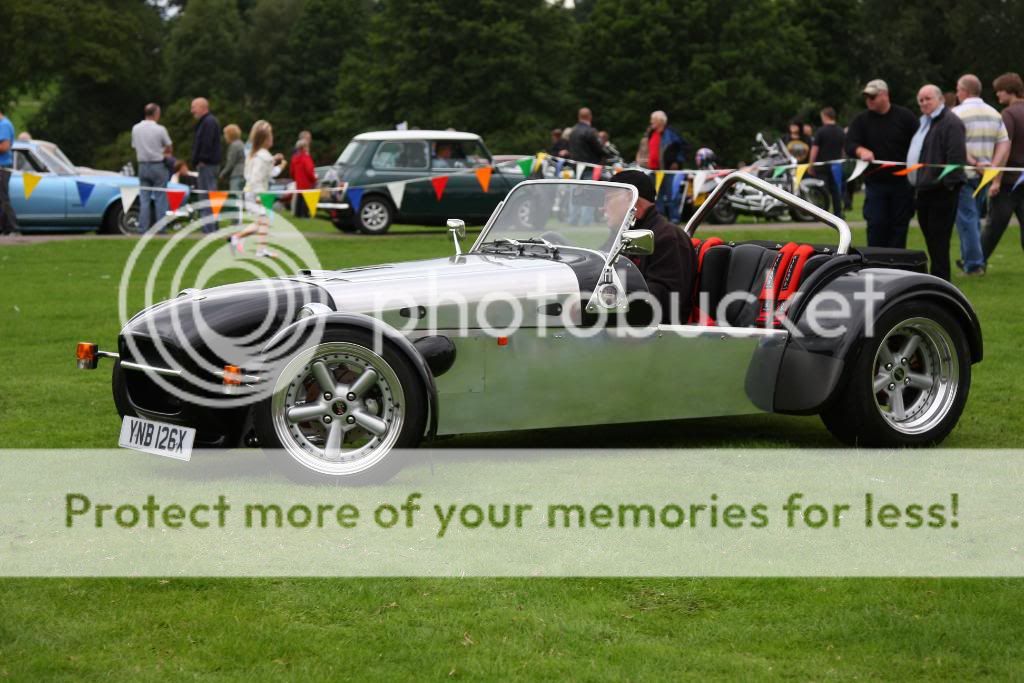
[{"x": 57, "y": 293}]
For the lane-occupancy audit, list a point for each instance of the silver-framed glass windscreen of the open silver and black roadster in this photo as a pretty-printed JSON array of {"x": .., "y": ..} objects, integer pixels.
[{"x": 568, "y": 214}]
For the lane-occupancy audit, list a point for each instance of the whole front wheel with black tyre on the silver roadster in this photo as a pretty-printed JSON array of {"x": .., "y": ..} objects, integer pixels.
[{"x": 401, "y": 404}]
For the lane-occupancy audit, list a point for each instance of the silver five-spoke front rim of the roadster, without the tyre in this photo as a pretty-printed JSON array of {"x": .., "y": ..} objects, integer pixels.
[{"x": 338, "y": 408}]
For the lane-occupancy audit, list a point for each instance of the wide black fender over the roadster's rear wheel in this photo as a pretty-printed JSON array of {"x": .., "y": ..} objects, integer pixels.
[{"x": 816, "y": 359}]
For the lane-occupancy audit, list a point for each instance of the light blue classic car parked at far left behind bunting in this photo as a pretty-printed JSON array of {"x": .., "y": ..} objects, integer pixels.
[{"x": 56, "y": 203}]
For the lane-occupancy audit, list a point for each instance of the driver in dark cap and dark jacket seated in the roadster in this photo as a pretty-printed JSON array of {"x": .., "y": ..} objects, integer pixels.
[{"x": 671, "y": 270}]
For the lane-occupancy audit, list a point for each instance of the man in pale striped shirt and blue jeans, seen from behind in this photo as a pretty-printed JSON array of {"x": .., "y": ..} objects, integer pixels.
[{"x": 987, "y": 136}]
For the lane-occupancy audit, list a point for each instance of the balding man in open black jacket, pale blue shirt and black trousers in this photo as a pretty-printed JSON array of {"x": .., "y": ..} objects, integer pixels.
[{"x": 942, "y": 140}]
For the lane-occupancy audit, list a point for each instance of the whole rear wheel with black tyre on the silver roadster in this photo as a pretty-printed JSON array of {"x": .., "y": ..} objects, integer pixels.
[{"x": 861, "y": 416}]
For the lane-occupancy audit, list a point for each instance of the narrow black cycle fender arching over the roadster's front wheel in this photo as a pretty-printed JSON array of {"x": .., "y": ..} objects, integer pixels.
[{"x": 309, "y": 327}]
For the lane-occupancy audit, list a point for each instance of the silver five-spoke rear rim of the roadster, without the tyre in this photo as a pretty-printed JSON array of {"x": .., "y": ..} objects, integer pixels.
[{"x": 917, "y": 376}]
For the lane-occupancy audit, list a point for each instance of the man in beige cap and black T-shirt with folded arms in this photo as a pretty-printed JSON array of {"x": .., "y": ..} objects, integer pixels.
[{"x": 882, "y": 135}]
